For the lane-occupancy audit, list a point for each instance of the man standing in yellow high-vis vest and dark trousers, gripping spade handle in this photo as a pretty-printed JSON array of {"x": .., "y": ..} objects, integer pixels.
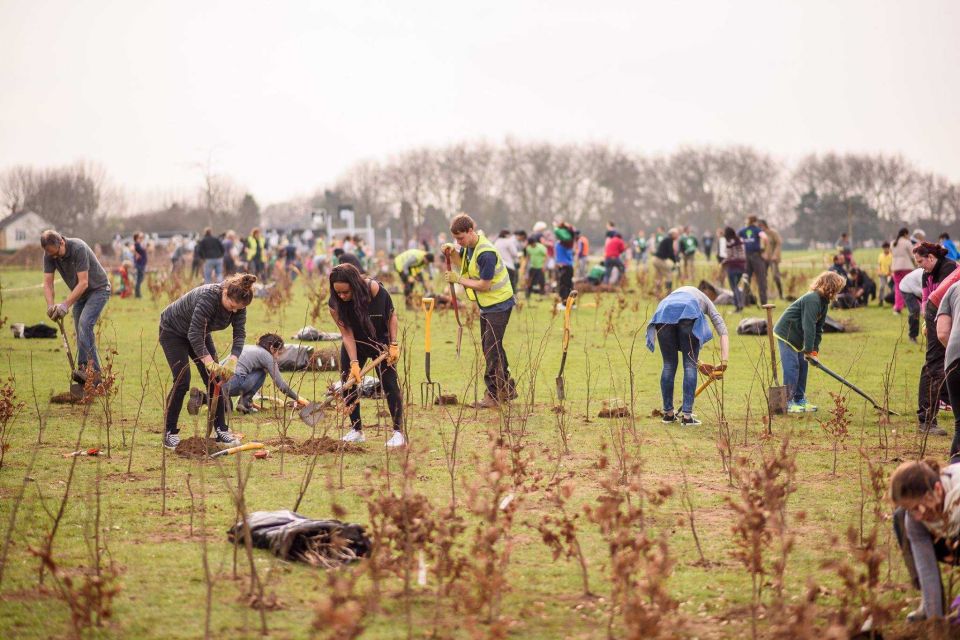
[{"x": 479, "y": 268}]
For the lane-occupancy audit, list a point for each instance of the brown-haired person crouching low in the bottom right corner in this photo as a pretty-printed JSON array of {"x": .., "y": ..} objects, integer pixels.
[{"x": 926, "y": 522}]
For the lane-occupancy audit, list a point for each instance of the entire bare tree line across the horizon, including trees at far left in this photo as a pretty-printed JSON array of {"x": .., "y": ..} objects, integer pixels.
[{"x": 515, "y": 183}]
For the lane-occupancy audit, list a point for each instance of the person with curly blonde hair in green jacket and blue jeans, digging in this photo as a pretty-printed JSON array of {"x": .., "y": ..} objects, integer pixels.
[{"x": 798, "y": 332}]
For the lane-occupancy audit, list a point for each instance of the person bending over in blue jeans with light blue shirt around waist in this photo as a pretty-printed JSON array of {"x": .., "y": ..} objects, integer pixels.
[{"x": 680, "y": 326}]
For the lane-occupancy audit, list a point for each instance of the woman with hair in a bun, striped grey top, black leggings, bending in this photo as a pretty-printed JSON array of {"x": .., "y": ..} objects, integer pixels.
[{"x": 185, "y": 328}]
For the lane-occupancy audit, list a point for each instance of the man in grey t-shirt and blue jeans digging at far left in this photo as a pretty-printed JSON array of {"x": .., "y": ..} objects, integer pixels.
[{"x": 89, "y": 291}]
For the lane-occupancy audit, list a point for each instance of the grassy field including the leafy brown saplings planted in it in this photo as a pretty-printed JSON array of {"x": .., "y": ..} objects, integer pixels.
[{"x": 160, "y": 516}]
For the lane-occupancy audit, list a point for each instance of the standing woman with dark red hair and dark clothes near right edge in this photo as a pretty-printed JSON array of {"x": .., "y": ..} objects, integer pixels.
[{"x": 932, "y": 258}]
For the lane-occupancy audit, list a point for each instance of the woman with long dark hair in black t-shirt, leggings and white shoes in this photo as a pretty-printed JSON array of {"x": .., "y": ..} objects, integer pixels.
[{"x": 363, "y": 310}]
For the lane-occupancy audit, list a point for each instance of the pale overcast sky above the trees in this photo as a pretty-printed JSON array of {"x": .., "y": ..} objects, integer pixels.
[{"x": 286, "y": 95}]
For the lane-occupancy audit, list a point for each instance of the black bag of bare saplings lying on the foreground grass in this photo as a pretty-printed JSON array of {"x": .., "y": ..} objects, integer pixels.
[{"x": 291, "y": 536}]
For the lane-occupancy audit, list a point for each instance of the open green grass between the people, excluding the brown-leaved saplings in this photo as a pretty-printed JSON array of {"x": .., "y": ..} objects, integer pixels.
[{"x": 162, "y": 586}]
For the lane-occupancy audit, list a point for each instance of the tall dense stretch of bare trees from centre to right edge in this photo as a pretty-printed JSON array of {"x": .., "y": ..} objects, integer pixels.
[{"x": 515, "y": 184}]
